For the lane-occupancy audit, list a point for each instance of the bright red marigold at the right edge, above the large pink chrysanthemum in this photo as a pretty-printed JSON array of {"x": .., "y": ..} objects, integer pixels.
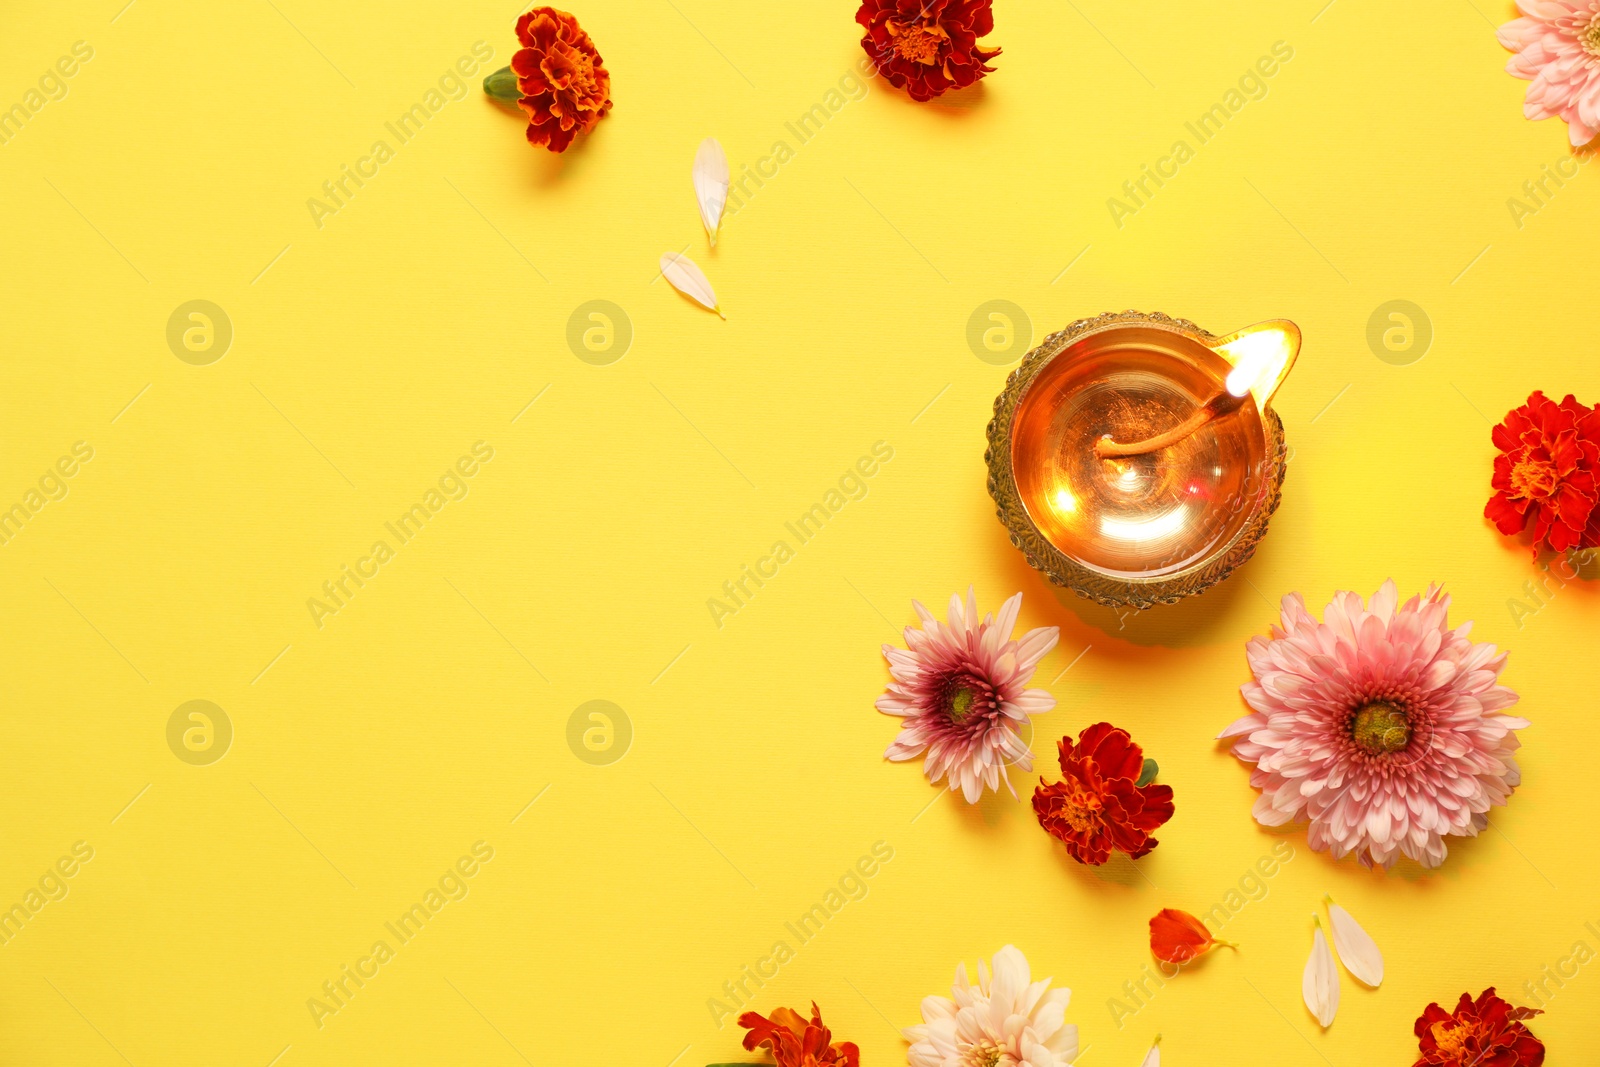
[{"x": 1548, "y": 473}]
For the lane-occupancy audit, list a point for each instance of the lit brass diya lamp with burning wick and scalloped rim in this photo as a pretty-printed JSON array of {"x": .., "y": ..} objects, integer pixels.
[{"x": 1137, "y": 458}]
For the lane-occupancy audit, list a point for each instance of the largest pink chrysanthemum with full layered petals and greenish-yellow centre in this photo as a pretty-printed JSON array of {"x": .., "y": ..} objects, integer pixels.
[{"x": 1382, "y": 727}]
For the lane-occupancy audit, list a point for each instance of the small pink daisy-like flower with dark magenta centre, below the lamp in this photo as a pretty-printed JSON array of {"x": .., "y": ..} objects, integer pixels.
[{"x": 961, "y": 687}]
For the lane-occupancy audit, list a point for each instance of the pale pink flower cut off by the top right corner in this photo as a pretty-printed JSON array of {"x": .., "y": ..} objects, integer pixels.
[{"x": 1558, "y": 46}]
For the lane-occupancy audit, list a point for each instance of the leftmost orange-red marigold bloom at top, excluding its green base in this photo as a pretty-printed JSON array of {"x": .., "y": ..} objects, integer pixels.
[{"x": 566, "y": 87}]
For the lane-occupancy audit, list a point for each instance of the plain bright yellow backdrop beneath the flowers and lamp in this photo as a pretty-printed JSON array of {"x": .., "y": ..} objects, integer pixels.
[{"x": 372, "y": 353}]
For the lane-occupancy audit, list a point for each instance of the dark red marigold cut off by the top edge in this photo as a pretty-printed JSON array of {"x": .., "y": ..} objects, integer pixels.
[{"x": 927, "y": 47}]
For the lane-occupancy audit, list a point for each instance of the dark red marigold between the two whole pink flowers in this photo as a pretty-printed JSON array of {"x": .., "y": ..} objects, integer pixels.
[{"x": 1100, "y": 805}]
